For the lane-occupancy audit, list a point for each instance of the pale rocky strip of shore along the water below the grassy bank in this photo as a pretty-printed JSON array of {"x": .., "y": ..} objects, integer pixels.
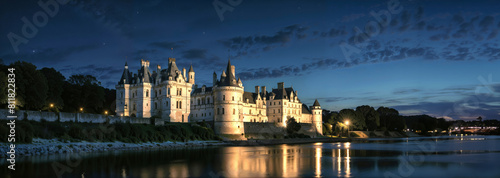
[{"x": 54, "y": 146}]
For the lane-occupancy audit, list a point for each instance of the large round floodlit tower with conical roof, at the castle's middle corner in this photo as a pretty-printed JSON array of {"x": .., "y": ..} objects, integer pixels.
[{"x": 227, "y": 103}]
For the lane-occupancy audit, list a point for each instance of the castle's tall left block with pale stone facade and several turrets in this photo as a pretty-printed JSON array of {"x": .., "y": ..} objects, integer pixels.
[{"x": 162, "y": 93}]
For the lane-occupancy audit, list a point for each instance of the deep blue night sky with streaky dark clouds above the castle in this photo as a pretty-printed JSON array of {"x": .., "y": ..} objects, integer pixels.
[{"x": 420, "y": 57}]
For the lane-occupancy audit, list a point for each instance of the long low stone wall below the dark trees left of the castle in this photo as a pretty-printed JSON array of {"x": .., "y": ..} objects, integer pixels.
[{"x": 75, "y": 117}]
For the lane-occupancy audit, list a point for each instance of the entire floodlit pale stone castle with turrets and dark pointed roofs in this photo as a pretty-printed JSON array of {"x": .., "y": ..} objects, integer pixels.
[{"x": 174, "y": 96}]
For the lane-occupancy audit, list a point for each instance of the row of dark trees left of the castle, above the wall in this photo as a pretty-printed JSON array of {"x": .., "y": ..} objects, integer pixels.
[{"x": 47, "y": 89}]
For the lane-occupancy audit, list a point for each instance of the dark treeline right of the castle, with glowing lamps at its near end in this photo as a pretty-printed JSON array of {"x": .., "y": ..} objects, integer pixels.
[{"x": 367, "y": 118}]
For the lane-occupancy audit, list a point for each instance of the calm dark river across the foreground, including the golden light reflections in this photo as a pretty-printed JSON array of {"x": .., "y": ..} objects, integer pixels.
[{"x": 470, "y": 156}]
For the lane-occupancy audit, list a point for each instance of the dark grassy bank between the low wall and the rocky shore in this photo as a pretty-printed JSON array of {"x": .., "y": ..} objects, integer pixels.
[{"x": 25, "y": 131}]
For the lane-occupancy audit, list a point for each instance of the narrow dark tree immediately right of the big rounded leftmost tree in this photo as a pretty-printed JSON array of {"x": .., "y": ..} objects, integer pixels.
[{"x": 55, "y": 81}]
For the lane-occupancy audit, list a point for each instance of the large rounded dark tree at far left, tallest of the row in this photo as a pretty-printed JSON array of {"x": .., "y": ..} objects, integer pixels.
[{"x": 31, "y": 86}]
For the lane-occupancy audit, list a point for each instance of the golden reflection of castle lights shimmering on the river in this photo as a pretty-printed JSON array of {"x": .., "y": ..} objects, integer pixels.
[{"x": 286, "y": 161}]
